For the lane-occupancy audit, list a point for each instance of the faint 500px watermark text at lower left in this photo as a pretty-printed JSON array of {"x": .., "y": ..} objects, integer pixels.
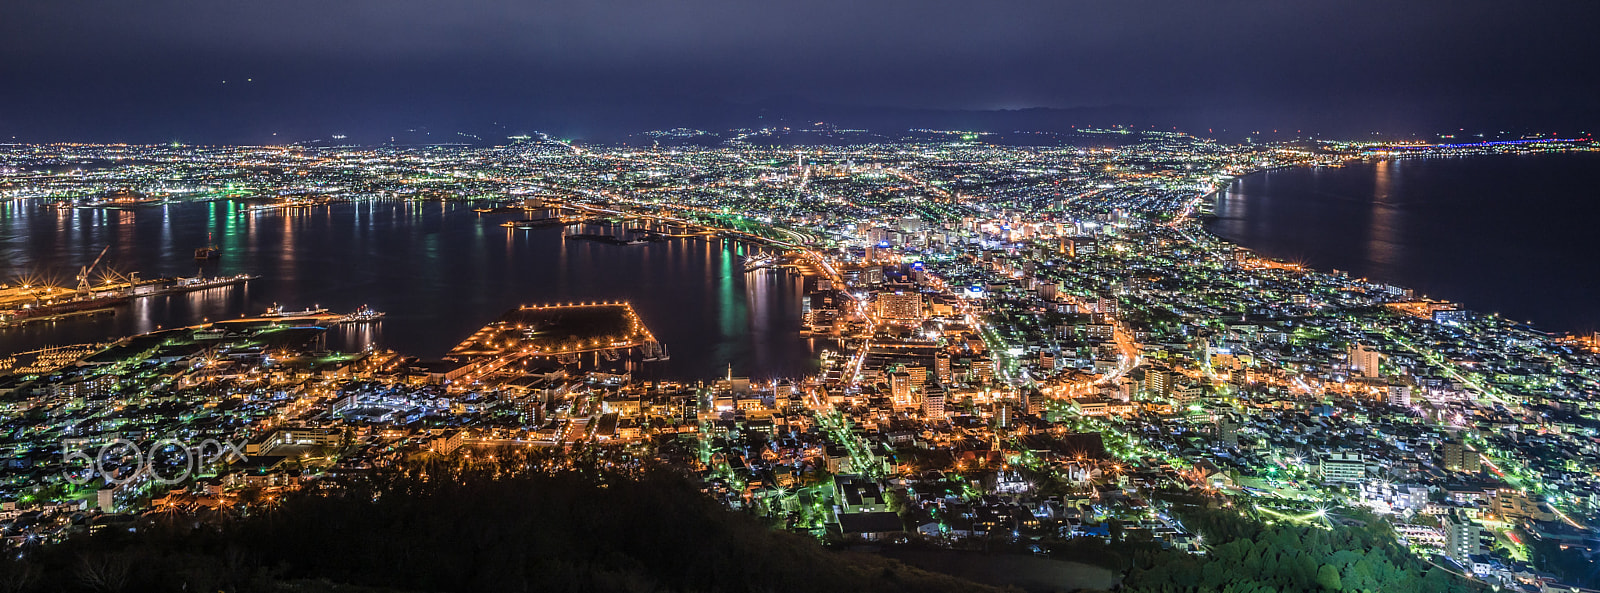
[{"x": 167, "y": 461}]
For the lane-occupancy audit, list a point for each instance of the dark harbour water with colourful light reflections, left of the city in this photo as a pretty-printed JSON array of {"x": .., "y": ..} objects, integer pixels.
[{"x": 439, "y": 271}]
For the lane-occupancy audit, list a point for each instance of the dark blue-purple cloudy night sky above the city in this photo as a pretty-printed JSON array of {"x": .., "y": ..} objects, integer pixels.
[{"x": 228, "y": 71}]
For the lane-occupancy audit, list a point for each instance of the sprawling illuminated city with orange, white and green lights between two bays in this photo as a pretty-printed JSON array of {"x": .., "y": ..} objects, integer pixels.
[{"x": 1034, "y": 343}]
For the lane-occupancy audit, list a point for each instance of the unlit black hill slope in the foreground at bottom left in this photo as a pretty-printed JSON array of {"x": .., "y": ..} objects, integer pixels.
[{"x": 444, "y": 530}]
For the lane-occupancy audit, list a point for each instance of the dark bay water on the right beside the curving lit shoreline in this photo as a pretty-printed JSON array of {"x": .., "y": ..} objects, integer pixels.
[{"x": 1510, "y": 234}]
